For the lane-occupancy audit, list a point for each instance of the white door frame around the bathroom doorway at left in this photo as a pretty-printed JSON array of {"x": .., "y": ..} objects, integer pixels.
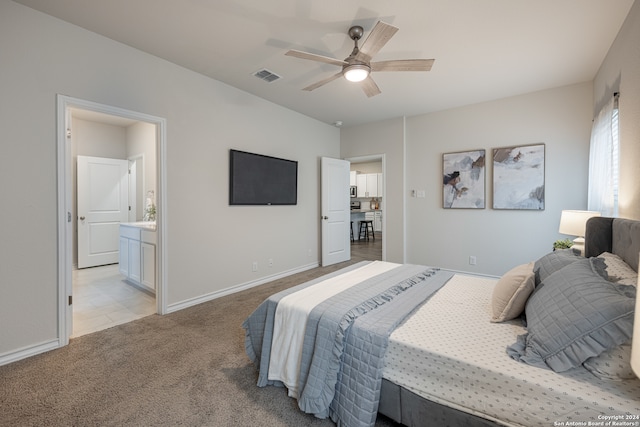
[{"x": 65, "y": 195}]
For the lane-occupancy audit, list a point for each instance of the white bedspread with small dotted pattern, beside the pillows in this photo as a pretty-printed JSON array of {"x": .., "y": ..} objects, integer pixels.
[{"x": 449, "y": 352}]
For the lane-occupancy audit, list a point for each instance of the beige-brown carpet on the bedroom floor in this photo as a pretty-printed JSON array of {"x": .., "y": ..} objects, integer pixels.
[{"x": 183, "y": 369}]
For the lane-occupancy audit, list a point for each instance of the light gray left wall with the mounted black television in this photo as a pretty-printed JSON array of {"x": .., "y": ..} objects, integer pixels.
[{"x": 210, "y": 245}]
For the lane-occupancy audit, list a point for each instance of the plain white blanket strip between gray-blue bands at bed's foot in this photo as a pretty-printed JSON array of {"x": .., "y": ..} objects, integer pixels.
[{"x": 291, "y": 317}]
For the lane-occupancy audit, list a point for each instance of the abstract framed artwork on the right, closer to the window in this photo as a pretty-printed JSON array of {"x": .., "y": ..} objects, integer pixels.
[{"x": 518, "y": 177}]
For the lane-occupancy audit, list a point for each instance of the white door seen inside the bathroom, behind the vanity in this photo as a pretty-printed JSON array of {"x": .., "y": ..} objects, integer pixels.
[{"x": 102, "y": 205}]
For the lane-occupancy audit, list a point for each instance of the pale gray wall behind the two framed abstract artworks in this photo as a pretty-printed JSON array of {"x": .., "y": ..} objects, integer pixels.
[{"x": 559, "y": 118}]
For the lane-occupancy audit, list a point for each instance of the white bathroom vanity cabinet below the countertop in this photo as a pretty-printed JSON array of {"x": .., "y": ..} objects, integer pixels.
[{"x": 138, "y": 255}]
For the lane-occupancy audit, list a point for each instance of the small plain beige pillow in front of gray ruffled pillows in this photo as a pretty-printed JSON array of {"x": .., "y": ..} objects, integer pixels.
[{"x": 511, "y": 292}]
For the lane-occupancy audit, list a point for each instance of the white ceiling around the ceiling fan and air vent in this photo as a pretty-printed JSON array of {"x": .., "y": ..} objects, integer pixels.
[{"x": 484, "y": 49}]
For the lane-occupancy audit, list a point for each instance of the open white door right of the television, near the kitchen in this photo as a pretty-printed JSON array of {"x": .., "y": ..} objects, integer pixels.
[{"x": 335, "y": 214}]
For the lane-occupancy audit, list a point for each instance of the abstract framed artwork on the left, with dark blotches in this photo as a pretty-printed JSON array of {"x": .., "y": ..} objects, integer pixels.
[{"x": 463, "y": 180}]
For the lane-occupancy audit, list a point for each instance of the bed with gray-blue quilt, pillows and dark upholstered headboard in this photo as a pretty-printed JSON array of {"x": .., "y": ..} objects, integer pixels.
[{"x": 426, "y": 346}]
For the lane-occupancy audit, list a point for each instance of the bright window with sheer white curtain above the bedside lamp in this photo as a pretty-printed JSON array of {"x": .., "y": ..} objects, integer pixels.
[{"x": 604, "y": 161}]
